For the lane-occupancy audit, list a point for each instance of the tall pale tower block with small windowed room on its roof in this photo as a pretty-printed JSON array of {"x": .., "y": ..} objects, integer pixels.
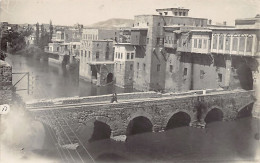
[{"x": 147, "y": 36}]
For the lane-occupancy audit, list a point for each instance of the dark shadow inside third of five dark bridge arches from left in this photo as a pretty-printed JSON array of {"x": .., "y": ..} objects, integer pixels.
[{"x": 178, "y": 119}]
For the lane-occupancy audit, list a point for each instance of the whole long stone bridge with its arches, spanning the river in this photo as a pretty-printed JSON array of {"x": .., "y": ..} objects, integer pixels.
[{"x": 137, "y": 112}]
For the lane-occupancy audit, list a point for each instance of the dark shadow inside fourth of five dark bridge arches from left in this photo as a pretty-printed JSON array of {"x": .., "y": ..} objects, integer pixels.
[{"x": 214, "y": 114}]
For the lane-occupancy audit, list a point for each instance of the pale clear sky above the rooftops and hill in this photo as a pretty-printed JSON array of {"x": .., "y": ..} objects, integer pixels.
[{"x": 87, "y": 12}]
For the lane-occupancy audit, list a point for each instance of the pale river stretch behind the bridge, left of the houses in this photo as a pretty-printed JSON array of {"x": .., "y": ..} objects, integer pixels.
[{"x": 48, "y": 80}]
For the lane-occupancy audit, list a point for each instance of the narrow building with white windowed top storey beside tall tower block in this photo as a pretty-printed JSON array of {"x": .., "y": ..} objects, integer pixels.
[{"x": 124, "y": 56}]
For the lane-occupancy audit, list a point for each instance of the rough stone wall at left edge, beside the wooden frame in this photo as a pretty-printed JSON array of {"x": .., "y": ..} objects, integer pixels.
[{"x": 5, "y": 82}]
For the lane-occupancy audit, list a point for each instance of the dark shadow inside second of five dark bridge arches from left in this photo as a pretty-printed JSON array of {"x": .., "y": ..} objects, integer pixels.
[{"x": 139, "y": 124}]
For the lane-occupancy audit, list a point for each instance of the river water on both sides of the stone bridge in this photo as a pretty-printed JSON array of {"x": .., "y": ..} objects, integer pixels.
[{"x": 233, "y": 141}]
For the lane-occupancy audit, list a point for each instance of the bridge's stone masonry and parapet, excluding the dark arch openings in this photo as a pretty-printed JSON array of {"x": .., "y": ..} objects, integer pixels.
[{"x": 158, "y": 109}]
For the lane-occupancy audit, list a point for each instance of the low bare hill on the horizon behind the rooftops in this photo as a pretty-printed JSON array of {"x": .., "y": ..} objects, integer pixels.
[{"x": 114, "y": 23}]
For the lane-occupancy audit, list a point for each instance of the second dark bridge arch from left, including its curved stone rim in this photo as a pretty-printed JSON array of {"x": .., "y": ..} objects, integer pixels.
[{"x": 139, "y": 122}]
